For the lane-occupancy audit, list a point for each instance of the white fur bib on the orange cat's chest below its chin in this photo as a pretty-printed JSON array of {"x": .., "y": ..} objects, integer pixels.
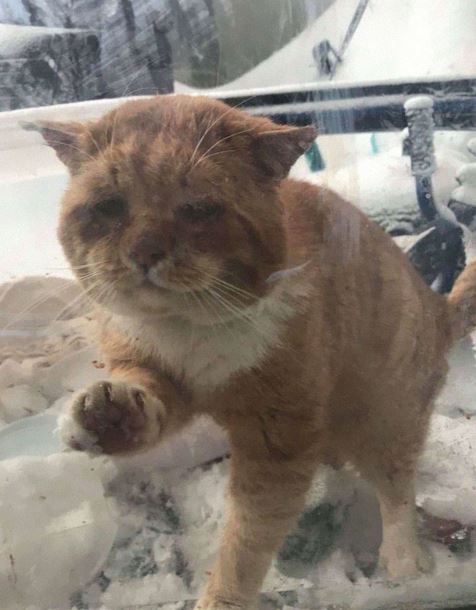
[{"x": 207, "y": 356}]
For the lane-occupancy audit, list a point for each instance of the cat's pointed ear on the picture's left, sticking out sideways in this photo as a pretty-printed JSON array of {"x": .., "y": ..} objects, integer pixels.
[{"x": 64, "y": 138}]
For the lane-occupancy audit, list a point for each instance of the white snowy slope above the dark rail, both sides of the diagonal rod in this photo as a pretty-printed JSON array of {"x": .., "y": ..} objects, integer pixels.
[{"x": 392, "y": 39}]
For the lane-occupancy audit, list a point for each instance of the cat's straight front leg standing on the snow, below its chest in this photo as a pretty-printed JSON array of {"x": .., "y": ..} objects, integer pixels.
[{"x": 265, "y": 498}]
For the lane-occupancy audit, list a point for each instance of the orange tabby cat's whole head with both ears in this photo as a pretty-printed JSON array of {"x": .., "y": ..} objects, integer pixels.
[{"x": 173, "y": 205}]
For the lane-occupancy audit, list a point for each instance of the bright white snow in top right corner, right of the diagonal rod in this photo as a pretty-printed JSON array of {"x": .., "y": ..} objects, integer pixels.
[{"x": 394, "y": 38}]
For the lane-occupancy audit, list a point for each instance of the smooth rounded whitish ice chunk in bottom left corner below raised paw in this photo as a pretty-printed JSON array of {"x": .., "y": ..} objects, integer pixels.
[{"x": 56, "y": 529}]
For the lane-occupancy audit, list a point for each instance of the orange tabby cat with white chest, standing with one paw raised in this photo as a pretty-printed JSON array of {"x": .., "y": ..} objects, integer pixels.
[{"x": 179, "y": 221}]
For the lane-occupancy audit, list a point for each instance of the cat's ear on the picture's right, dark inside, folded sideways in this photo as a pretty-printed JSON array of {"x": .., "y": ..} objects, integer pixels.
[{"x": 278, "y": 149}]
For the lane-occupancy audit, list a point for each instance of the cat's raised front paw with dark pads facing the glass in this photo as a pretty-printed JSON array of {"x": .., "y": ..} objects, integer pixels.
[{"x": 113, "y": 417}]
